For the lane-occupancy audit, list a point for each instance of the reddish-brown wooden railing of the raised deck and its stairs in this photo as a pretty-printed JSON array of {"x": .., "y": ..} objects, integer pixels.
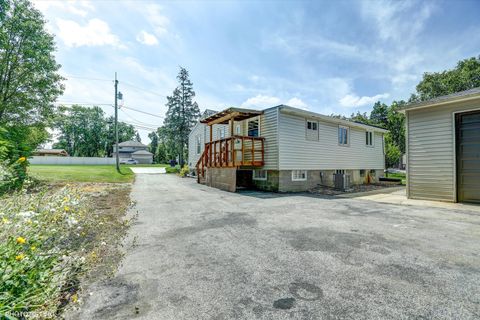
[{"x": 235, "y": 151}]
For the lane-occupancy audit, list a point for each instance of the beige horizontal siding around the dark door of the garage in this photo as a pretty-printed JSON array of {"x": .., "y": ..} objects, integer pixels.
[{"x": 431, "y": 151}]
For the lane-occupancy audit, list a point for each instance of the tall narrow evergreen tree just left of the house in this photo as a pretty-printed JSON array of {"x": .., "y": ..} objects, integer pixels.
[{"x": 182, "y": 113}]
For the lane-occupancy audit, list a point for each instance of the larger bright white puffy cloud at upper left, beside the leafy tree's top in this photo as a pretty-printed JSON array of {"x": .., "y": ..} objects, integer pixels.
[{"x": 95, "y": 33}]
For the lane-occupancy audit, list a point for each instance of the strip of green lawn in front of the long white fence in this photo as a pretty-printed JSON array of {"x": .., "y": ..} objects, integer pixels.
[{"x": 80, "y": 173}]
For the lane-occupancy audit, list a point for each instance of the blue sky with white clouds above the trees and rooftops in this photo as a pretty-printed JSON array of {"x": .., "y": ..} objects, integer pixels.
[{"x": 324, "y": 56}]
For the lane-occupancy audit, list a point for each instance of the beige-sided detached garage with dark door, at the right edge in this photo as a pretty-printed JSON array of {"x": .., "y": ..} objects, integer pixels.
[{"x": 443, "y": 148}]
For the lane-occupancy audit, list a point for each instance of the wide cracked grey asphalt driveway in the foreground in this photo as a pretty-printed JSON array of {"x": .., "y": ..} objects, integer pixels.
[{"x": 200, "y": 253}]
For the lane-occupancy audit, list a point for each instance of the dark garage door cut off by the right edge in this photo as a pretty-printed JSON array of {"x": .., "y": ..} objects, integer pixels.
[{"x": 468, "y": 157}]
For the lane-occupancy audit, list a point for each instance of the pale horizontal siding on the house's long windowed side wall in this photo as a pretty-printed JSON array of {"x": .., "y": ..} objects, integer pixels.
[{"x": 296, "y": 152}]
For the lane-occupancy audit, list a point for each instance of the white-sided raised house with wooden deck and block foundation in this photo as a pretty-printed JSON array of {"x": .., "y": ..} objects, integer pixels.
[{"x": 288, "y": 149}]
